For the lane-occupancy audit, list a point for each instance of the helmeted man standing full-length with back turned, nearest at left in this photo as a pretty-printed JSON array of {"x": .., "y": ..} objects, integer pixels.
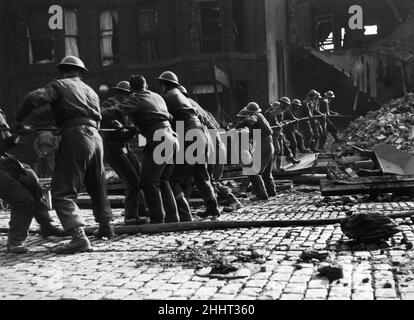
[{"x": 76, "y": 111}]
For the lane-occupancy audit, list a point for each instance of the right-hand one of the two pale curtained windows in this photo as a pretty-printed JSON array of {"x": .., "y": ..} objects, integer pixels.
[{"x": 109, "y": 37}]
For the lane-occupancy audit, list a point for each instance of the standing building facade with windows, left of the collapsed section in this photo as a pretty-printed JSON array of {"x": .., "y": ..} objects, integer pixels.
[{"x": 226, "y": 52}]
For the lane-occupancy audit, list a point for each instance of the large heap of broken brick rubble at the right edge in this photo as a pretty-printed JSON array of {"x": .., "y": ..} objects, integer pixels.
[{"x": 392, "y": 124}]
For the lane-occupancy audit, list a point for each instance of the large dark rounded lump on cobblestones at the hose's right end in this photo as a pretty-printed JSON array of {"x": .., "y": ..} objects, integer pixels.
[{"x": 369, "y": 228}]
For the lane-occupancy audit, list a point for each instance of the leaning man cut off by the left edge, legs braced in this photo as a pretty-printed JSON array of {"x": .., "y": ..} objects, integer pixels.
[{"x": 19, "y": 187}]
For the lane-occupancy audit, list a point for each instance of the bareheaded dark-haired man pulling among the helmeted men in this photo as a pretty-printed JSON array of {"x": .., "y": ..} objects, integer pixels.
[{"x": 148, "y": 111}]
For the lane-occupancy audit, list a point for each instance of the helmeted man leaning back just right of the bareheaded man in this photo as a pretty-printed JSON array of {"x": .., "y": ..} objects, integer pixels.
[{"x": 185, "y": 114}]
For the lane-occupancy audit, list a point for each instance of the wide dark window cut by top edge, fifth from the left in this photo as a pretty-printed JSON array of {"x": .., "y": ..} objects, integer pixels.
[{"x": 205, "y": 26}]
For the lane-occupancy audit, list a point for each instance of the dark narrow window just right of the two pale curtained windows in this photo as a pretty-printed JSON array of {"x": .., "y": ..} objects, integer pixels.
[{"x": 147, "y": 33}]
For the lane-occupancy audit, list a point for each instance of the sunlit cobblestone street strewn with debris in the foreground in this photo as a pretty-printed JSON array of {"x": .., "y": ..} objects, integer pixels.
[{"x": 259, "y": 263}]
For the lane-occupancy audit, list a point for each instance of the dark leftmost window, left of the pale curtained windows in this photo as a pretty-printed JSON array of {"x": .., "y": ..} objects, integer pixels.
[{"x": 40, "y": 37}]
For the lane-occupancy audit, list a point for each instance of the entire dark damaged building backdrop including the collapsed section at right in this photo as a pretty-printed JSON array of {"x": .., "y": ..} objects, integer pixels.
[{"x": 226, "y": 52}]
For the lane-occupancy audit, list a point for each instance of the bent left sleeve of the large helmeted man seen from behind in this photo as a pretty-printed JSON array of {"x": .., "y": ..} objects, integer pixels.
[{"x": 36, "y": 99}]
